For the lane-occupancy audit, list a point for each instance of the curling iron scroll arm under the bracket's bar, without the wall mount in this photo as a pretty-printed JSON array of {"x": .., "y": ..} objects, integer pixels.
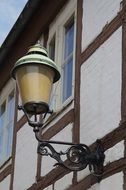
[{"x": 46, "y": 149}]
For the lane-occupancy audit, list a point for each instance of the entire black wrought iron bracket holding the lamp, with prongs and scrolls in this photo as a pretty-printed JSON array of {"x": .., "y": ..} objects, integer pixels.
[{"x": 76, "y": 157}]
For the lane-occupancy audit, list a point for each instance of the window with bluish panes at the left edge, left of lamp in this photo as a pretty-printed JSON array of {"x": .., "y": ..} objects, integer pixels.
[{"x": 6, "y": 125}]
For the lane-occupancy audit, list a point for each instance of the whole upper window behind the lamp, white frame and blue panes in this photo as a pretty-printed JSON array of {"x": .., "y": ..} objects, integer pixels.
[{"x": 61, "y": 47}]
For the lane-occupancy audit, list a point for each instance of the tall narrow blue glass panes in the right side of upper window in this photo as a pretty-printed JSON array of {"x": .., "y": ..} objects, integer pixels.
[{"x": 67, "y": 68}]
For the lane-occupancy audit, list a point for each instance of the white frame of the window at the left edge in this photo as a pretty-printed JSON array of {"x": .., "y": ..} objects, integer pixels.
[{"x": 4, "y": 96}]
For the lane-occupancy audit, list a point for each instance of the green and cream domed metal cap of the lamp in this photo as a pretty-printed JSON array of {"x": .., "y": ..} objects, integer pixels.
[{"x": 37, "y": 55}]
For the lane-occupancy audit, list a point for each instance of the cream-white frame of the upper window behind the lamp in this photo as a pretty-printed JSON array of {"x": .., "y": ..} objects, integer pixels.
[{"x": 57, "y": 29}]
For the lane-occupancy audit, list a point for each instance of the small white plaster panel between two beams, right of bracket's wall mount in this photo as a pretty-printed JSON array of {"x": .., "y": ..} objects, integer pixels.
[{"x": 114, "y": 153}]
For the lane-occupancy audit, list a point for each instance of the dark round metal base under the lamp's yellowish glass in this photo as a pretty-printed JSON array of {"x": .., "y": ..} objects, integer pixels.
[{"x": 36, "y": 107}]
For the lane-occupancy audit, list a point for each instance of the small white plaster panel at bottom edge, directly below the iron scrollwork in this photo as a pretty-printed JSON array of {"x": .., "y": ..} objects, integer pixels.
[{"x": 64, "y": 182}]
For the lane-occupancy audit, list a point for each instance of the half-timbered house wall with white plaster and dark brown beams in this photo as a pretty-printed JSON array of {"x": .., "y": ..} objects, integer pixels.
[{"x": 96, "y": 110}]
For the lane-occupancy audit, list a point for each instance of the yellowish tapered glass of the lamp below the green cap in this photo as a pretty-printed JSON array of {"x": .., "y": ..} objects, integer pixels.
[{"x": 35, "y": 83}]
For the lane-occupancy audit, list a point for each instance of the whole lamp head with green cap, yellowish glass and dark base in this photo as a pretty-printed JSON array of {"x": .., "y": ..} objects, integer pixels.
[{"x": 35, "y": 74}]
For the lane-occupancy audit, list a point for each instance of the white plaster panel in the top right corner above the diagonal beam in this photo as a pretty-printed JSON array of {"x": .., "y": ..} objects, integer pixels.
[{"x": 96, "y": 14}]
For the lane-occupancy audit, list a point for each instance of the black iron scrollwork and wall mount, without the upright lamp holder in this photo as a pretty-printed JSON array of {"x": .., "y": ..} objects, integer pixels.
[{"x": 78, "y": 156}]
